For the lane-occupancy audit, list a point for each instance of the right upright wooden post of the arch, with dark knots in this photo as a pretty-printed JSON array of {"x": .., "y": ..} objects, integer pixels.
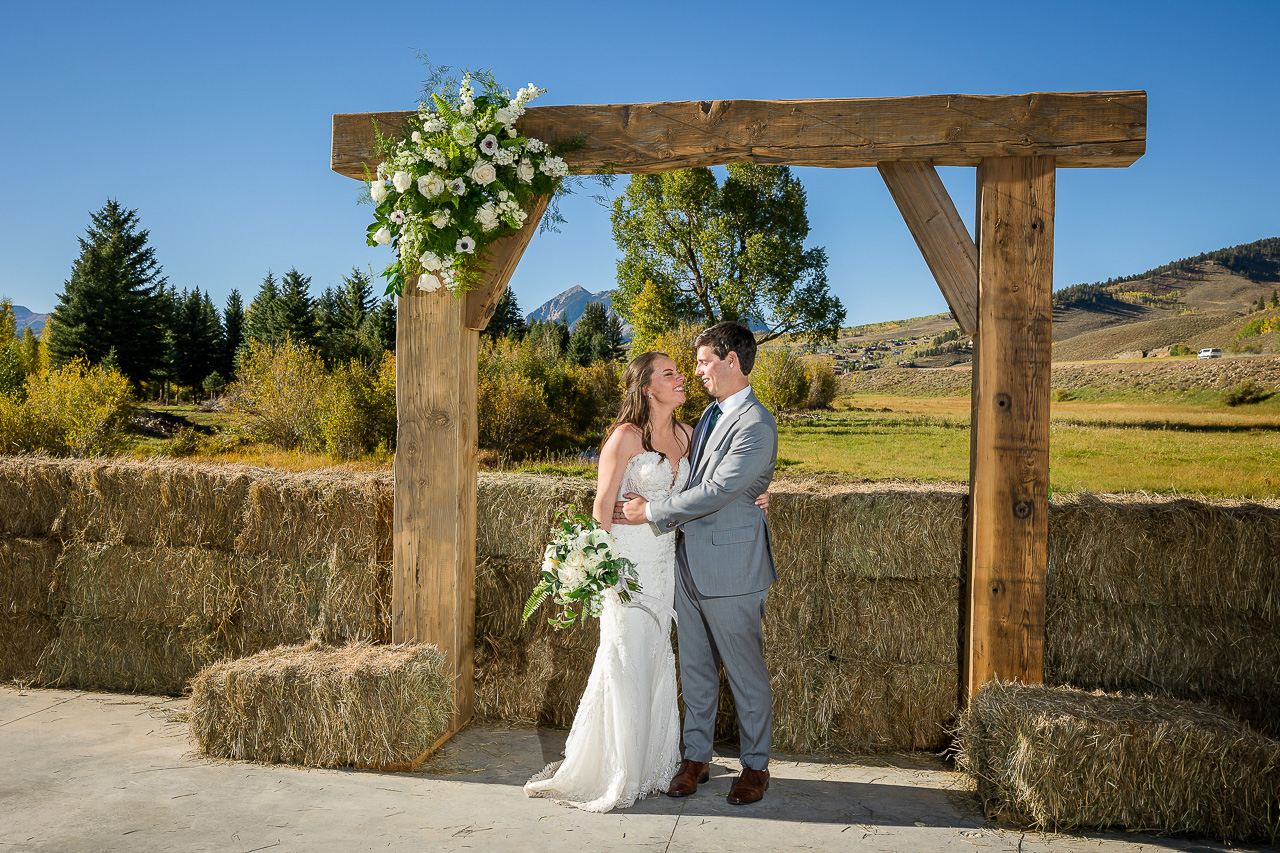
[{"x": 1009, "y": 490}]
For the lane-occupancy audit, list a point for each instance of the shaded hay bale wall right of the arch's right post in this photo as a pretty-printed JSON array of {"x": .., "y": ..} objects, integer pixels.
[{"x": 1171, "y": 597}]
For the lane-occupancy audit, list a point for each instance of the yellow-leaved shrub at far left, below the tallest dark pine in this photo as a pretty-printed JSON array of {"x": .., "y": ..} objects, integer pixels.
[{"x": 76, "y": 410}]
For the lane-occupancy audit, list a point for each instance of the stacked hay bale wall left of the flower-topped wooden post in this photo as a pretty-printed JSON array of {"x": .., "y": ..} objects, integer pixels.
[{"x": 154, "y": 571}]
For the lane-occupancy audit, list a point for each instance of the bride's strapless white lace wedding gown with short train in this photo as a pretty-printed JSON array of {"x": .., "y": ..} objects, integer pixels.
[{"x": 625, "y": 741}]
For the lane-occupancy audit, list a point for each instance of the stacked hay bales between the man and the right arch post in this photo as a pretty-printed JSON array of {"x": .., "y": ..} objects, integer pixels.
[{"x": 862, "y": 633}]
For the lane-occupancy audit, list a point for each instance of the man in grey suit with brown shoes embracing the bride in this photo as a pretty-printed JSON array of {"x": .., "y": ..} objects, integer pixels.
[{"x": 724, "y": 563}]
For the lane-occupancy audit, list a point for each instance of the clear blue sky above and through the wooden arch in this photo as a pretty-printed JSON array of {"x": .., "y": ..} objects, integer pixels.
[{"x": 214, "y": 122}]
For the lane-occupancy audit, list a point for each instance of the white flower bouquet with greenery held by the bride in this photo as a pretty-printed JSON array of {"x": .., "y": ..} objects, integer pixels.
[{"x": 579, "y": 565}]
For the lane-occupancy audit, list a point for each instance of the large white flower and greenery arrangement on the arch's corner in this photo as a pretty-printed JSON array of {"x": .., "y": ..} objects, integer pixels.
[{"x": 455, "y": 183}]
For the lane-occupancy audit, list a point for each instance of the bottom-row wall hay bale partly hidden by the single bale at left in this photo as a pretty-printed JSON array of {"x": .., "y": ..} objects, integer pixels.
[{"x": 134, "y": 658}]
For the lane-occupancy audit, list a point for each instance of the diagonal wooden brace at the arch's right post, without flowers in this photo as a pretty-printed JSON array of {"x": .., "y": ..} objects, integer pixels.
[{"x": 939, "y": 231}]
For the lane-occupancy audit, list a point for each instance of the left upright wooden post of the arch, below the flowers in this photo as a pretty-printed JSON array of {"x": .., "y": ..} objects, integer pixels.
[{"x": 433, "y": 583}]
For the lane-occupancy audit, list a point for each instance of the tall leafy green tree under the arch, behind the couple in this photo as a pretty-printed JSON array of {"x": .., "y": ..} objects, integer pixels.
[{"x": 732, "y": 252}]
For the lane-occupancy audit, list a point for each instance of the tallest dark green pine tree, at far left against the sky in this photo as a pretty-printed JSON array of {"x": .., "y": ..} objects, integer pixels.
[{"x": 112, "y": 300}]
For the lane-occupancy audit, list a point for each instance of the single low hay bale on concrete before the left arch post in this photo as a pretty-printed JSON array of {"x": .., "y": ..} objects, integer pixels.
[{"x": 323, "y": 706}]
